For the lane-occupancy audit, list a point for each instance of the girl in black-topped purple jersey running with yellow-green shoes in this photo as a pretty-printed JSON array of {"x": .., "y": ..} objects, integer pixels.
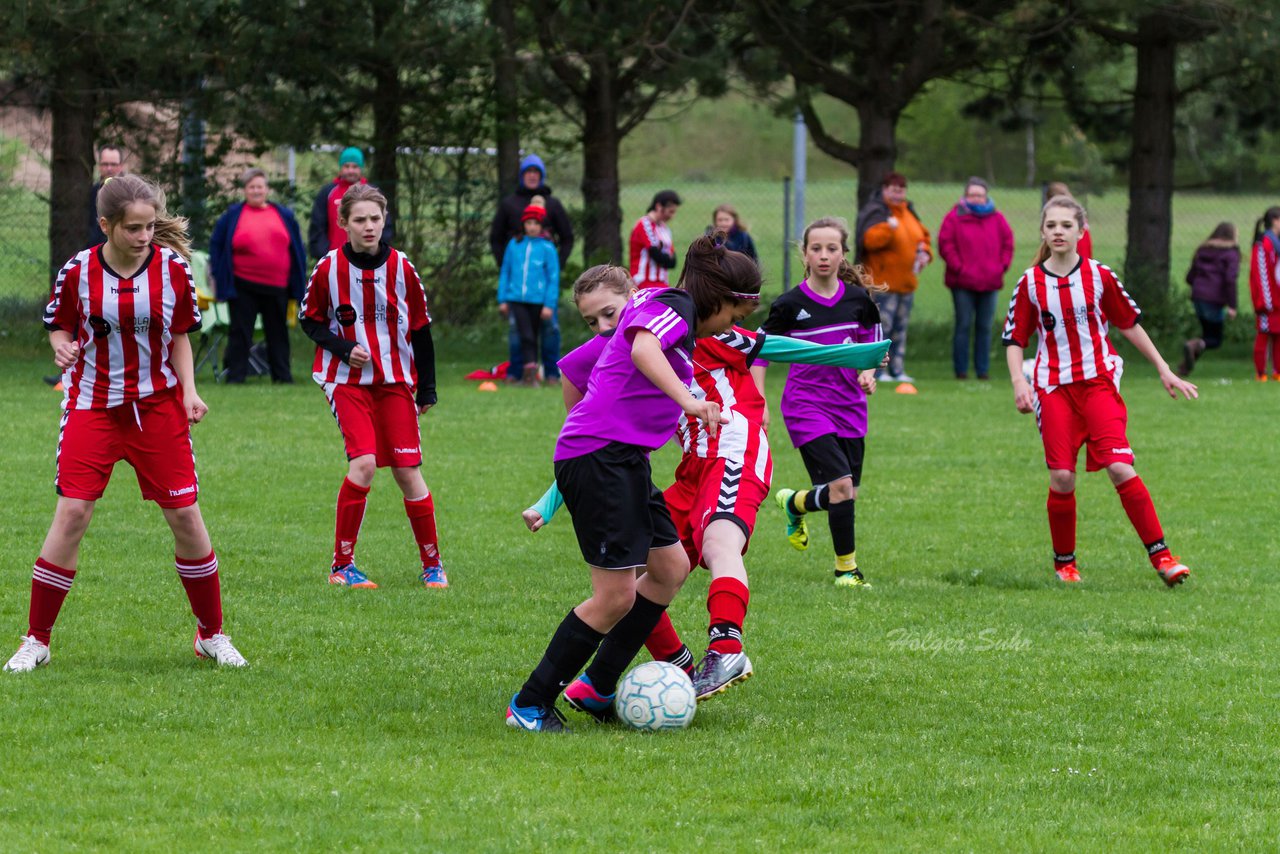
[{"x": 824, "y": 408}]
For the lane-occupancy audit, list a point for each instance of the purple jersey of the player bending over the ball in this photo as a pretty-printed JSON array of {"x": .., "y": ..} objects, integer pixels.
[{"x": 621, "y": 404}]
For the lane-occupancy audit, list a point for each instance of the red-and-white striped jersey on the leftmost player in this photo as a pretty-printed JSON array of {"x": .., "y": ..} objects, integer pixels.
[{"x": 125, "y": 327}]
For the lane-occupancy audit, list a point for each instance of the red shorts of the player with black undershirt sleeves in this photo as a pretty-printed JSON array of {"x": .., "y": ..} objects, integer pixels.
[{"x": 381, "y": 421}]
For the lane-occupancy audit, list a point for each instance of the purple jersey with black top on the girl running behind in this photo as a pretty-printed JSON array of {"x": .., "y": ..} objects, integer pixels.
[{"x": 821, "y": 400}]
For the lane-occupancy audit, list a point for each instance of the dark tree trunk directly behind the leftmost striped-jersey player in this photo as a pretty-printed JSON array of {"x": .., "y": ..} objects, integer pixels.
[{"x": 71, "y": 185}]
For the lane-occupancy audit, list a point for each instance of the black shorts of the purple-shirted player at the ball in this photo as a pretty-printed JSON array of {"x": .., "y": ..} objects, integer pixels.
[{"x": 619, "y": 515}]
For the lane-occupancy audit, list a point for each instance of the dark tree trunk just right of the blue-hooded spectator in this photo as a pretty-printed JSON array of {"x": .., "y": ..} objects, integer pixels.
[{"x": 602, "y": 214}]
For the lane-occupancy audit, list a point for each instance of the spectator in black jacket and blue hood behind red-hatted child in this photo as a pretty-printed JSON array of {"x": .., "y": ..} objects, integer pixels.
[{"x": 509, "y": 223}]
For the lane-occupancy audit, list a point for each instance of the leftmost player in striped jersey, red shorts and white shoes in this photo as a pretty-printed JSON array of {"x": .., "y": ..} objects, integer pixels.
[{"x": 118, "y": 323}]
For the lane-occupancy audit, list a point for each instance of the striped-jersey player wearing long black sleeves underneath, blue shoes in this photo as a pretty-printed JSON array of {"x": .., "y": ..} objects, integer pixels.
[{"x": 367, "y": 312}]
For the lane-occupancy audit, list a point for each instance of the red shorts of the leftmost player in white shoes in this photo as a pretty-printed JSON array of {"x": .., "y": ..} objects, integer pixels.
[{"x": 152, "y": 436}]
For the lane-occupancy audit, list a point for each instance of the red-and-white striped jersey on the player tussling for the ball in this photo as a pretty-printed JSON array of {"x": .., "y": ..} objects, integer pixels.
[{"x": 723, "y": 376}]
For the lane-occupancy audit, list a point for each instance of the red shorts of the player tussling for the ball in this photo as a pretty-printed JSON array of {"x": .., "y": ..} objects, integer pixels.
[{"x": 710, "y": 490}]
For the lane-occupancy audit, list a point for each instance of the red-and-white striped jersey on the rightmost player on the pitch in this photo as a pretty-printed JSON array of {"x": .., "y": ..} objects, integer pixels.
[{"x": 1071, "y": 314}]
